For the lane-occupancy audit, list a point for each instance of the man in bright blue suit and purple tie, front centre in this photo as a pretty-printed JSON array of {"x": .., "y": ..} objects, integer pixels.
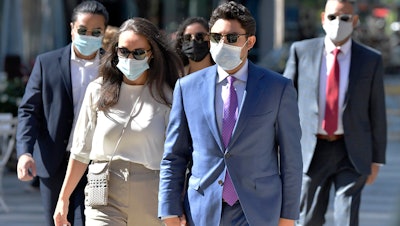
[{"x": 261, "y": 158}]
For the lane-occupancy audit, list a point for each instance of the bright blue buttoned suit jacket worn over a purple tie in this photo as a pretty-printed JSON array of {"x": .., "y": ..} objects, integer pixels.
[{"x": 268, "y": 186}]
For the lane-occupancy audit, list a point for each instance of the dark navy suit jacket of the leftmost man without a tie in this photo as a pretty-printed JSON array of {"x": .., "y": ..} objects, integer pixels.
[{"x": 45, "y": 115}]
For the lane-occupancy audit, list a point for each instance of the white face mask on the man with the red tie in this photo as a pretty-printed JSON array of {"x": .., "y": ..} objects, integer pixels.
[{"x": 337, "y": 30}]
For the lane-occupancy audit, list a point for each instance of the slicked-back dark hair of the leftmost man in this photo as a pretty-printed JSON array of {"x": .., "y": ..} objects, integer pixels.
[{"x": 93, "y": 7}]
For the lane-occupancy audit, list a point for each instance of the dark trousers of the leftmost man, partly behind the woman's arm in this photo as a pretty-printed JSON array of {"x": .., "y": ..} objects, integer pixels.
[{"x": 50, "y": 189}]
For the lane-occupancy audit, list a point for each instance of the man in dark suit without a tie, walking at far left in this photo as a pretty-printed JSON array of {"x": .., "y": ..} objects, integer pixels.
[{"x": 51, "y": 105}]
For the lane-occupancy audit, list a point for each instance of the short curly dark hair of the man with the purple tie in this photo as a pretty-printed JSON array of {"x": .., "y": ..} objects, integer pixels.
[{"x": 235, "y": 11}]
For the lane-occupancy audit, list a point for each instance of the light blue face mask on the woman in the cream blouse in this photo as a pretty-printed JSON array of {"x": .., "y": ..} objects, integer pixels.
[{"x": 132, "y": 68}]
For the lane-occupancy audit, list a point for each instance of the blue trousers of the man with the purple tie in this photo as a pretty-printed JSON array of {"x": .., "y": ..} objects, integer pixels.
[{"x": 232, "y": 215}]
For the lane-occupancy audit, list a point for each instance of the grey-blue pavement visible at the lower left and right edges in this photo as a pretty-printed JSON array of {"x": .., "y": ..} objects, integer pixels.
[{"x": 380, "y": 202}]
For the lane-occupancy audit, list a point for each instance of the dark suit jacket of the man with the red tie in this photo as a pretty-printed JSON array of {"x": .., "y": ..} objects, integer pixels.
[{"x": 364, "y": 116}]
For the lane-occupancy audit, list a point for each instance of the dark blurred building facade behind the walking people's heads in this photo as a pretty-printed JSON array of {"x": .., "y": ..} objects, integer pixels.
[{"x": 30, "y": 27}]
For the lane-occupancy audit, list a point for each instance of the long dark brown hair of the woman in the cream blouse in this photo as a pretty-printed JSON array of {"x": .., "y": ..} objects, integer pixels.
[{"x": 165, "y": 65}]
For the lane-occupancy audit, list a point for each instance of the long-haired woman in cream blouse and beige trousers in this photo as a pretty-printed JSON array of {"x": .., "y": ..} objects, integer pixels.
[{"x": 135, "y": 87}]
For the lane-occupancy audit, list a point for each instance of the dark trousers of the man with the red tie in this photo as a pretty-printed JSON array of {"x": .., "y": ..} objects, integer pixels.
[{"x": 331, "y": 166}]
